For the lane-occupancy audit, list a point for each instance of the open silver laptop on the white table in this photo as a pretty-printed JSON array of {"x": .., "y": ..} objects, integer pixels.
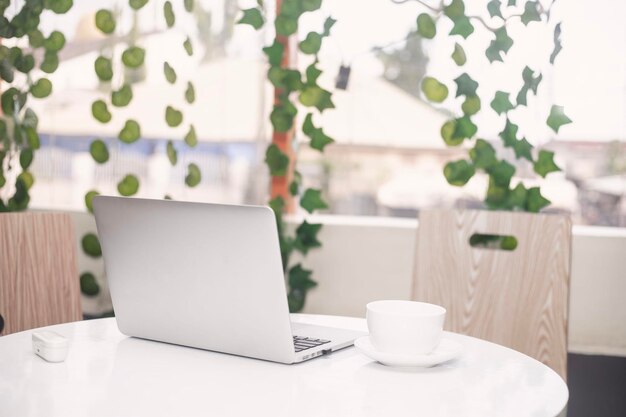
[{"x": 207, "y": 276}]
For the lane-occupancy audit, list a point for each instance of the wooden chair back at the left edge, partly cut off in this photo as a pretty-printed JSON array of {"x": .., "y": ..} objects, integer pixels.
[{"x": 39, "y": 283}]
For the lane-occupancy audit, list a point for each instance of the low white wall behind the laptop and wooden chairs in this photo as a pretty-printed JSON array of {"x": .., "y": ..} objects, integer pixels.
[{"x": 364, "y": 259}]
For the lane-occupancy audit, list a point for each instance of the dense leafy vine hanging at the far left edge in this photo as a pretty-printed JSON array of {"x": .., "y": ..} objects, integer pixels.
[{"x": 23, "y": 69}]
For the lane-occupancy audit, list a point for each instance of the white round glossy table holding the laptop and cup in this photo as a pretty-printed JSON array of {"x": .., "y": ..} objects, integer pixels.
[{"x": 109, "y": 374}]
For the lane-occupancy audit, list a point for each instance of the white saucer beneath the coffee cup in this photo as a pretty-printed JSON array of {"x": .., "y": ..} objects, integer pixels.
[{"x": 448, "y": 349}]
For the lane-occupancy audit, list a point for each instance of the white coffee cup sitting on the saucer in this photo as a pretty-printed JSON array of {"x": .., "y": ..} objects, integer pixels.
[{"x": 405, "y": 327}]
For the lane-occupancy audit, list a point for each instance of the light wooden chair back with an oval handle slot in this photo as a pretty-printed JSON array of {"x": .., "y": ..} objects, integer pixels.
[{"x": 516, "y": 298}]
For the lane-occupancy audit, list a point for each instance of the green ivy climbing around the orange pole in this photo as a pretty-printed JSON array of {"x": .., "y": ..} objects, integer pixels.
[{"x": 290, "y": 84}]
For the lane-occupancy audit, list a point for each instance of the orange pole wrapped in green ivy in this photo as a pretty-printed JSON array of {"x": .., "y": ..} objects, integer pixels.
[{"x": 284, "y": 140}]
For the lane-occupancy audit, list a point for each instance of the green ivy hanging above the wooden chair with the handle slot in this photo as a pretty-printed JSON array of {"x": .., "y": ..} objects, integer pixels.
[{"x": 460, "y": 130}]
